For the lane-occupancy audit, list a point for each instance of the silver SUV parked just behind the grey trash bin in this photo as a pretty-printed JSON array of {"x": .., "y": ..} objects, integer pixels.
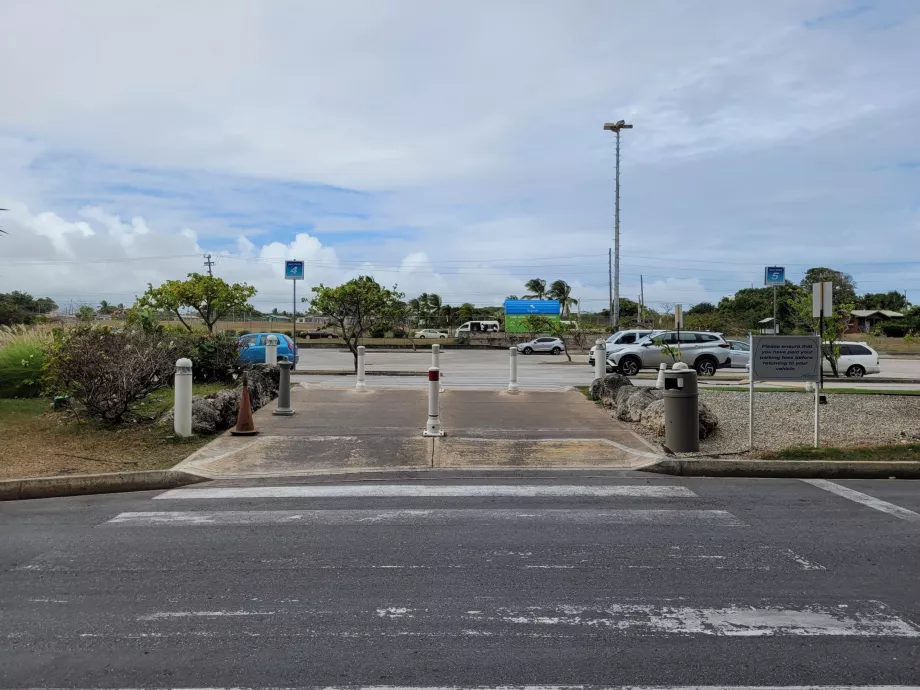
[{"x": 706, "y": 352}]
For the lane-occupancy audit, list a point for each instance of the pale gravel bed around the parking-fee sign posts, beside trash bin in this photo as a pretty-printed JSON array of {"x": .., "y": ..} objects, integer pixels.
[{"x": 787, "y": 419}]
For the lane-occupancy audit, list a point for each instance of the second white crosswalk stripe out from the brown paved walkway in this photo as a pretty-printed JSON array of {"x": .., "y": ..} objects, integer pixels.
[{"x": 720, "y": 518}]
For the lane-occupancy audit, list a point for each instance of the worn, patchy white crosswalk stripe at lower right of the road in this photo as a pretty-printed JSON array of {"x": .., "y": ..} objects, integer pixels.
[{"x": 864, "y": 619}]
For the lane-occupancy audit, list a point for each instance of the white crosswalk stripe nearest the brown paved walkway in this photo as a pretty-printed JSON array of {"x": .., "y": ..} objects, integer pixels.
[{"x": 430, "y": 491}]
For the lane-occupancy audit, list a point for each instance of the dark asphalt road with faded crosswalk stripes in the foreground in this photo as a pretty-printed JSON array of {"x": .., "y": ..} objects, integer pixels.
[{"x": 614, "y": 581}]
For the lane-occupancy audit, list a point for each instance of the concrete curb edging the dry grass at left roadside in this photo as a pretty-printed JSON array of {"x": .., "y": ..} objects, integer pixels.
[{"x": 83, "y": 484}]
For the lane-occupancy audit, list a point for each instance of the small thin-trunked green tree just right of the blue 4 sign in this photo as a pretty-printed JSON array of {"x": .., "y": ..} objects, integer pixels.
[{"x": 357, "y": 307}]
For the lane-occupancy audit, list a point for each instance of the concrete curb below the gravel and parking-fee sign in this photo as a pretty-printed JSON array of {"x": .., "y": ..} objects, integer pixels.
[{"x": 791, "y": 469}]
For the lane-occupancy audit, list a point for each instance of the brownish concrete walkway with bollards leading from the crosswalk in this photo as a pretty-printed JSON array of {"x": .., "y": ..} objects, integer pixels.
[{"x": 343, "y": 431}]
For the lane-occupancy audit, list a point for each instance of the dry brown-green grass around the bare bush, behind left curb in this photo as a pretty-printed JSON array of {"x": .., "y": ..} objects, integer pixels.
[{"x": 38, "y": 442}]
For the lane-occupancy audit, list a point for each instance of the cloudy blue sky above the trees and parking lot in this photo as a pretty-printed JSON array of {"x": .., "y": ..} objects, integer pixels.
[{"x": 457, "y": 148}]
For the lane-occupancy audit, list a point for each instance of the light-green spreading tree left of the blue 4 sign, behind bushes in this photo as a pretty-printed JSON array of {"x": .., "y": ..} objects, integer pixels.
[{"x": 213, "y": 298}]
